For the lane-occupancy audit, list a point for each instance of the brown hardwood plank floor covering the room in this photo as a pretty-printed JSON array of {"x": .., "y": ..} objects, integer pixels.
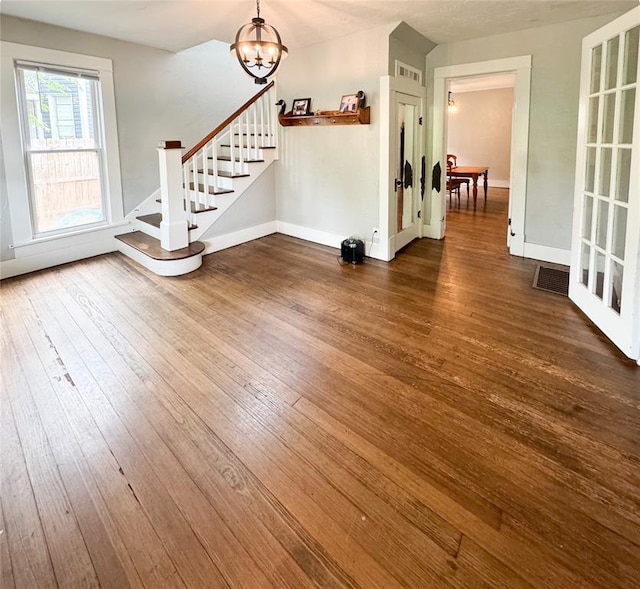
[{"x": 276, "y": 419}]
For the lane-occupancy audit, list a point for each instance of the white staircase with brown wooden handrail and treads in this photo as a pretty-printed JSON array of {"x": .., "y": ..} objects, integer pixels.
[{"x": 197, "y": 188}]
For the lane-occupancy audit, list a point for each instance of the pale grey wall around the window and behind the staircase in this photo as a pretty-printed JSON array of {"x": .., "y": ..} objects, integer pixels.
[{"x": 159, "y": 95}]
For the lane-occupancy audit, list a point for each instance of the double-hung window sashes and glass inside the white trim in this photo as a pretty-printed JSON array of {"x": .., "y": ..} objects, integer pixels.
[{"x": 63, "y": 147}]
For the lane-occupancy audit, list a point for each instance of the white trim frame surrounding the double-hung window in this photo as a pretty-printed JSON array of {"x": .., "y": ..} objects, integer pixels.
[{"x": 16, "y": 175}]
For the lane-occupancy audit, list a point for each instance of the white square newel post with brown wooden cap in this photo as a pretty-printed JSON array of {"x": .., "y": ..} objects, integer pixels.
[{"x": 174, "y": 233}]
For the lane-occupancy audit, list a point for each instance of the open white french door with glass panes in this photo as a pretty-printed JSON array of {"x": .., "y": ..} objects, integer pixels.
[{"x": 605, "y": 255}]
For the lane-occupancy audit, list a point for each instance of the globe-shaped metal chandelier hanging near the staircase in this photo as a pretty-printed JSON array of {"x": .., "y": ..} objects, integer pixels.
[{"x": 259, "y": 48}]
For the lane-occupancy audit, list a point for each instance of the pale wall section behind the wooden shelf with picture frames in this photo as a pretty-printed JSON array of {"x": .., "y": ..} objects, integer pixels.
[{"x": 327, "y": 177}]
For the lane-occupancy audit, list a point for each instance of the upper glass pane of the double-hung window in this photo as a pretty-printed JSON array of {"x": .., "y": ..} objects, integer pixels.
[{"x": 60, "y": 112}]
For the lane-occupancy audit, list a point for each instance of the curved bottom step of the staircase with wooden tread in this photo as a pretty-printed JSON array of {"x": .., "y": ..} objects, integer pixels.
[{"x": 146, "y": 250}]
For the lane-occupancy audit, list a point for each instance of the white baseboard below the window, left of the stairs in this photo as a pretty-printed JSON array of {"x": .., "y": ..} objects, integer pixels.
[{"x": 38, "y": 256}]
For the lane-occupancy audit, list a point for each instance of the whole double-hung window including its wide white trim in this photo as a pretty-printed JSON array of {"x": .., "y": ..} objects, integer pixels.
[{"x": 60, "y": 143}]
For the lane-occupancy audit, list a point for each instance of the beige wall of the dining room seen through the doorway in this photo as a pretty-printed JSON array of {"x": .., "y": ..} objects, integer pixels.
[{"x": 479, "y": 131}]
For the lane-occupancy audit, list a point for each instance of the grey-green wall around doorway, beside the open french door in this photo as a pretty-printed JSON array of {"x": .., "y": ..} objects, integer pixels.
[{"x": 555, "y": 79}]
